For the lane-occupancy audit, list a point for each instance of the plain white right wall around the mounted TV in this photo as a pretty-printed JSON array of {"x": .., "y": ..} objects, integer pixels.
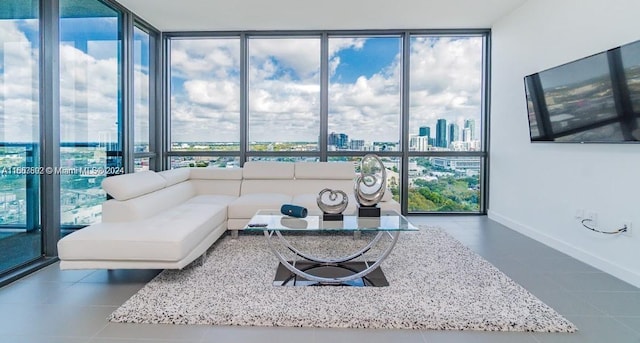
[{"x": 536, "y": 188}]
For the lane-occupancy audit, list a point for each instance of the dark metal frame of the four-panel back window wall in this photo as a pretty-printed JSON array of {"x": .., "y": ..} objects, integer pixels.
[{"x": 323, "y": 154}]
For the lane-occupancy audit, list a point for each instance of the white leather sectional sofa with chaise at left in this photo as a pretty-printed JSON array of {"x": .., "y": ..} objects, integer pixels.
[{"x": 166, "y": 220}]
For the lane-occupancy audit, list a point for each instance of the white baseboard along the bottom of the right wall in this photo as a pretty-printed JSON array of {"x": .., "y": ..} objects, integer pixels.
[{"x": 575, "y": 252}]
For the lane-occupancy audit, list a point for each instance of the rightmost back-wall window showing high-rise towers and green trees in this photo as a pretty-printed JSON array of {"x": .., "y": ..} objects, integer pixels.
[{"x": 445, "y": 118}]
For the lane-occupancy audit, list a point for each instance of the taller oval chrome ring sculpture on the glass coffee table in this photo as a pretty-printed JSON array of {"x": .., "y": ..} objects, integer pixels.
[{"x": 372, "y": 181}]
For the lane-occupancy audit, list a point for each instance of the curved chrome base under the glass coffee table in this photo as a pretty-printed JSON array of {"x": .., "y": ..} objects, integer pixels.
[{"x": 332, "y": 261}]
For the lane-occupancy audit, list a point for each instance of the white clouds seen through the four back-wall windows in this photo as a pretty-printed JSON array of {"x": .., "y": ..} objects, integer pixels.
[{"x": 284, "y": 90}]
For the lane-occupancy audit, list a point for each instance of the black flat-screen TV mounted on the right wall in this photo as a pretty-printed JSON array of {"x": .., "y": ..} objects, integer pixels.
[{"x": 595, "y": 99}]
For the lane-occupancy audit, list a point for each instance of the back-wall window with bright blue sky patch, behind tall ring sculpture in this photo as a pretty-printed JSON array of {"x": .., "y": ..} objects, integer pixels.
[{"x": 364, "y": 101}]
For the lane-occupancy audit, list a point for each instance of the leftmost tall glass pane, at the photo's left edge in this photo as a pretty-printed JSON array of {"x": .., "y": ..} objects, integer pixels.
[{"x": 20, "y": 234}]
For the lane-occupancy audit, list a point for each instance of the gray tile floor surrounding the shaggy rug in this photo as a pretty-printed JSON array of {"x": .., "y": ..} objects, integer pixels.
[{"x": 71, "y": 306}]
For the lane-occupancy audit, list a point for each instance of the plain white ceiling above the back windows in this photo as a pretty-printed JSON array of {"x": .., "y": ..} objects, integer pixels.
[{"x": 204, "y": 15}]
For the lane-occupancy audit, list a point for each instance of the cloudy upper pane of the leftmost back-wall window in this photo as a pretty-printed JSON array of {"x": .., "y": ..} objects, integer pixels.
[{"x": 205, "y": 100}]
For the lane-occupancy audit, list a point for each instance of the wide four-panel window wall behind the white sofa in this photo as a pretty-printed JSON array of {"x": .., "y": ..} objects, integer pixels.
[{"x": 416, "y": 99}]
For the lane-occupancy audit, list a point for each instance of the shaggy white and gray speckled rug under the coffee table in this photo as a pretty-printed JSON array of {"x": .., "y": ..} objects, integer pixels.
[{"x": 435, "y": 283}]
